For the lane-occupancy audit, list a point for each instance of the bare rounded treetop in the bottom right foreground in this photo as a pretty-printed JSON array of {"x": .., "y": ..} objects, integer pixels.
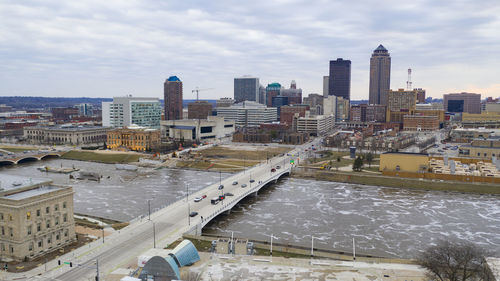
[{"x": 455, "y": 261}]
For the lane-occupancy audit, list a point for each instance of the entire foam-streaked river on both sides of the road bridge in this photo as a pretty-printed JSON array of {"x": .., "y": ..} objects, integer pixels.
[{"x": 384, "y": 221}]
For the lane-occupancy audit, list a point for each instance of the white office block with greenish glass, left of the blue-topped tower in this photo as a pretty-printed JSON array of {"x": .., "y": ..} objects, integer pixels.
[{"x": 125, "y": 111}]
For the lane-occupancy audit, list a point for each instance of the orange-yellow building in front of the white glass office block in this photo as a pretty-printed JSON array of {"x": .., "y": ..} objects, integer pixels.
[{"x": 133, "y": 138}]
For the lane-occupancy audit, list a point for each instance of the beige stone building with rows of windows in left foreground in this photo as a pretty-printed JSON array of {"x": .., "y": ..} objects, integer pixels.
[{"x": 36, "y": 217}]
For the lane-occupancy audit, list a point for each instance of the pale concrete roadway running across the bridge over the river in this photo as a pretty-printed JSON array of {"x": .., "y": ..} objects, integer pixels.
[{"x": 164, "y": 227}]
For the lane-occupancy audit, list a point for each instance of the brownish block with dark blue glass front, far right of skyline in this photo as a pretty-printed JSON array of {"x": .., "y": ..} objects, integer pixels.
[{"x": 462, "y": 102}]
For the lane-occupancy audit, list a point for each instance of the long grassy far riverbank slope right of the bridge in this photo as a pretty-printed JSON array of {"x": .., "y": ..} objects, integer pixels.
[{"x": 379, "y": 180}]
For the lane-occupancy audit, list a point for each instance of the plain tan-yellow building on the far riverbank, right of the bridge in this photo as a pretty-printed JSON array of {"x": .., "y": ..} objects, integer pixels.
[{"x": 404, "y": 162}]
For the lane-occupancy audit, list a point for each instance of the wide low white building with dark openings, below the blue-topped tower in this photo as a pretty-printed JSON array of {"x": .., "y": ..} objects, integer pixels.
[{"x": 214, "y": 127}]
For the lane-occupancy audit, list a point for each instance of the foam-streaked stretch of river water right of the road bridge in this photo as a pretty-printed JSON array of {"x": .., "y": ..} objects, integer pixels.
[{"x": 384, "y": 221}]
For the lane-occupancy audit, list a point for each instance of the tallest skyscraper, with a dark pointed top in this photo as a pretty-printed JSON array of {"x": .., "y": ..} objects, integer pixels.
[{"x": 380, "y": 75}]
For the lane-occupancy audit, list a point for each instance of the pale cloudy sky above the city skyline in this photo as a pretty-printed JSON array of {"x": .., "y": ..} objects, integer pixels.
[{"x": 106, "y": 48}]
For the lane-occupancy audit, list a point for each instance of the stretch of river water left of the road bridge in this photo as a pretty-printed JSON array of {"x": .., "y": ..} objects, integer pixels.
[{"x": 123, "y": 196}]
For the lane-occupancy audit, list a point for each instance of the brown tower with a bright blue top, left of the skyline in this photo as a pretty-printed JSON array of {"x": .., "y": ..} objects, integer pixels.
[{"x": 172, "y": 90}]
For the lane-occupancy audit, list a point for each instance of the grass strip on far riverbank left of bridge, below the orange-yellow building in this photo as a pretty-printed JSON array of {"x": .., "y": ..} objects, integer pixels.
[{"x": 111, "y": 158}]
